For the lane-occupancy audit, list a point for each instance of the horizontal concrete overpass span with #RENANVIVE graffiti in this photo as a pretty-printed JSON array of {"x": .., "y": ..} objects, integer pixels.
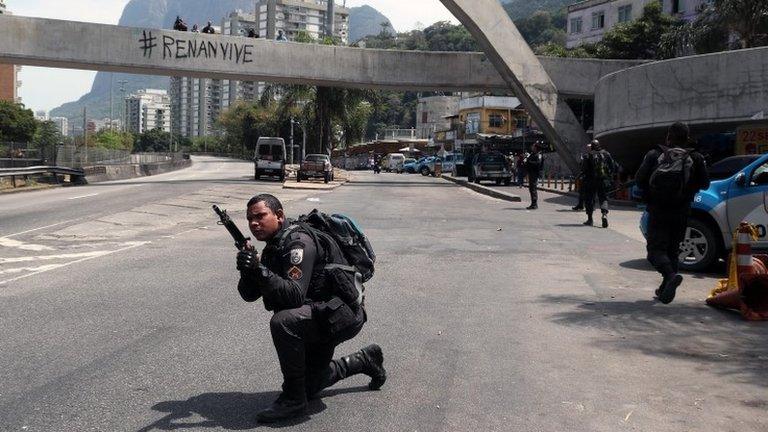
[{"x": 76, "y": 45}]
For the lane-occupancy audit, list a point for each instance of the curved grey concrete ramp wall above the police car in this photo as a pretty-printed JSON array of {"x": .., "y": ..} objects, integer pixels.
[{"x": 710, "y": 92}]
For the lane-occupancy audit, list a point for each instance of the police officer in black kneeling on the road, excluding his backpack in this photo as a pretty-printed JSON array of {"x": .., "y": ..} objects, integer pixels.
[{"x": 309, "y": 321}]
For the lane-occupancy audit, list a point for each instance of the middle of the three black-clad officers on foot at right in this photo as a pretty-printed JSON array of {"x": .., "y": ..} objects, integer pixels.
[{"x": 597, "y": 171}]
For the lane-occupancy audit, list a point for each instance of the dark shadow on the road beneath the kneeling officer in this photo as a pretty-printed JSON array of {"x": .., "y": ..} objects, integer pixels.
[{"x": 230, "y": 411}]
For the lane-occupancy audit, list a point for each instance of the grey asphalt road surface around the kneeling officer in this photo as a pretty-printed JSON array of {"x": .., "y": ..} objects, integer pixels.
[{"x": 492, "y": 318}]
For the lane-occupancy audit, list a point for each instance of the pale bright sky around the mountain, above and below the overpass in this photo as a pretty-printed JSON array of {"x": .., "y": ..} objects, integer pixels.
[{"x": 44, "y": 88}]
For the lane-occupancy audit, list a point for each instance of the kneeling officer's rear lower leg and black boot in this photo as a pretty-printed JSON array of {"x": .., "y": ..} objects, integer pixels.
[{"x": 369, "y": 361}]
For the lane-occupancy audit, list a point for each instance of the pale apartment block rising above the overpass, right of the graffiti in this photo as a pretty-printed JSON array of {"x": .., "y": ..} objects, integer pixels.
[{"x": 294, "y": 16}]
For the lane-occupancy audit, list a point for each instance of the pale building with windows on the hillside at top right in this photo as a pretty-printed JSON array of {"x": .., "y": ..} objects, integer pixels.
[{"x": 589, "y": 20}]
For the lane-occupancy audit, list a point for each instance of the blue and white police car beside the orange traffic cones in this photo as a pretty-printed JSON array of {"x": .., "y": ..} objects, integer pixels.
[{"x": 717, "y": 212}]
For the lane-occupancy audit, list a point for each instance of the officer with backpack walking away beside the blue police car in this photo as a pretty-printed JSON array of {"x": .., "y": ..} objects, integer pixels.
[{"x": 670, "y": 177}]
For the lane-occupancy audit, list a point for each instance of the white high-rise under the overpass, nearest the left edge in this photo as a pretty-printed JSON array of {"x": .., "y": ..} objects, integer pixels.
[{"x": 147, "y": 110}]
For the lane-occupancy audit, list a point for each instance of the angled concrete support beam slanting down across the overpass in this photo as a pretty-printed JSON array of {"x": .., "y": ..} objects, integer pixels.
[{"x": 487, "y": 21}]
